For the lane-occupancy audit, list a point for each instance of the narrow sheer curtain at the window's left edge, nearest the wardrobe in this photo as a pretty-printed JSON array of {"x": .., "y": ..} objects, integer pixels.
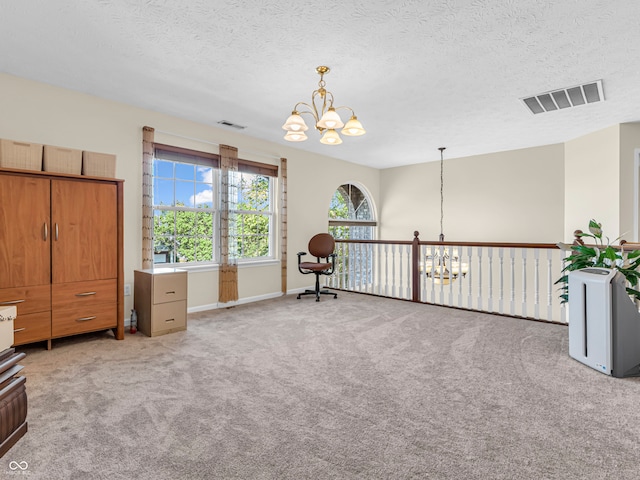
[{"x": 147, "y": 197}]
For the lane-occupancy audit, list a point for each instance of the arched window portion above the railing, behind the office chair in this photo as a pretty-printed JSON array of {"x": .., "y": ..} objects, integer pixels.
[{"x": 351, "y": 214}]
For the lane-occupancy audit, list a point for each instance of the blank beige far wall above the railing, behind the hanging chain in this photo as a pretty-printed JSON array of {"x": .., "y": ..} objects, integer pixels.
[{"x": 513, "y": 196}]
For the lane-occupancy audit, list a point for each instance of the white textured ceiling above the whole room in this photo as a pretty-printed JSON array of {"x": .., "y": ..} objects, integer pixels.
[{"x": 419, "y": 74}]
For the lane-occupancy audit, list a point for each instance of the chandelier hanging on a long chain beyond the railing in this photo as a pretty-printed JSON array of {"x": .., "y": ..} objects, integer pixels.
[{"x": 442, "y": 265}]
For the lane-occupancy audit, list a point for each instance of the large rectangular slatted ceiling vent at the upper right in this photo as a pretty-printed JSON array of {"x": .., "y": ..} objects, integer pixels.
[{"x": 565, "y": 98}]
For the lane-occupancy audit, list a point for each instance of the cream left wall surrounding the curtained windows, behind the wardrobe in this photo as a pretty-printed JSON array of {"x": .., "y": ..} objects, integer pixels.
[{"x": 35, "y": 112}]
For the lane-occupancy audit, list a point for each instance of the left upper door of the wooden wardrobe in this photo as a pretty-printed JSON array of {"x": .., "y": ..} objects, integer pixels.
[{"x": 24, "y": 231}]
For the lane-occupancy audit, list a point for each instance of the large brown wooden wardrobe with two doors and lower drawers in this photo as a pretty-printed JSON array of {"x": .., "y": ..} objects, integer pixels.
[{"x": 61, "y": 242}]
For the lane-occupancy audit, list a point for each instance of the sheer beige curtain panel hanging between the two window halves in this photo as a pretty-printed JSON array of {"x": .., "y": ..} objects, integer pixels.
[{"x": 228, "y": 279}]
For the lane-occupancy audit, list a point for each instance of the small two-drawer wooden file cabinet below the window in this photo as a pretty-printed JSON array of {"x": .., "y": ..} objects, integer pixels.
[{"x": 160, "y": 300}]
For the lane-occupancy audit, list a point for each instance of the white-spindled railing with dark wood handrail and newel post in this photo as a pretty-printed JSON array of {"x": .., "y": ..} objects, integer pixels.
[{"x": 515, "y": 279}]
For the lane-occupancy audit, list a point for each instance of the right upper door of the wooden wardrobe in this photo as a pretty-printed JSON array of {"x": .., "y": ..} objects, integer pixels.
[{"x": 84, "y": 231}]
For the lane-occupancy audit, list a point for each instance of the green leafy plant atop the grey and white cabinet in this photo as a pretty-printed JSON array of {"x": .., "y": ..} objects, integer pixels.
[{"x": 599, "y": 255}]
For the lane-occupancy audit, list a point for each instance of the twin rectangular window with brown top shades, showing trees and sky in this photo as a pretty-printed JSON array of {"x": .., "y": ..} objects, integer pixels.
[{"x": 186, "y": 207}]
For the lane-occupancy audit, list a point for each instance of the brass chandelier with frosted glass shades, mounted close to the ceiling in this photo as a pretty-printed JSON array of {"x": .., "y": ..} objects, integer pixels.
[{"x": 324, "y": 115}]
